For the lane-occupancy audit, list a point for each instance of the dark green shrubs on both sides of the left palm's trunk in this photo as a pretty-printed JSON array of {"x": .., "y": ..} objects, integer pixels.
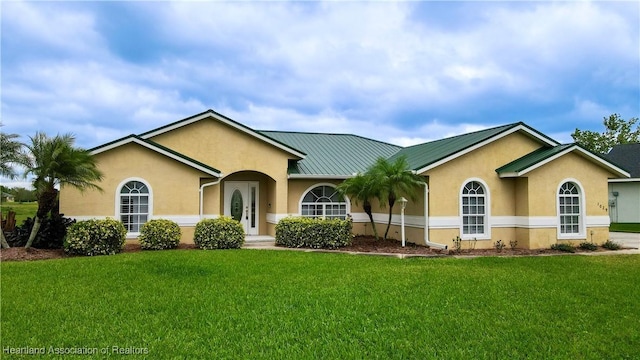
[{"x": 50, "y": 236}]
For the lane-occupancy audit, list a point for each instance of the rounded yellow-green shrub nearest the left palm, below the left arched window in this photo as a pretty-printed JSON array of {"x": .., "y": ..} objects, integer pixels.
[{"x": 95, "y": 237}]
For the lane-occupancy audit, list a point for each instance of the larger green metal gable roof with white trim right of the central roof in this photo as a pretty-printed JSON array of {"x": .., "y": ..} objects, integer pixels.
[{"x": 426, "y": 156}]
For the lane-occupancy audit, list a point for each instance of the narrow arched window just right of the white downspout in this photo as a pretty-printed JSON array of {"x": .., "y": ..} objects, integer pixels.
[{"x": 474, "y": 210}]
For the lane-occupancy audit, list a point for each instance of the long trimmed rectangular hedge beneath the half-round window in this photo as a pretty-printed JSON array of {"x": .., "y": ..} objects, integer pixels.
[{"x": 297, "y": 232}]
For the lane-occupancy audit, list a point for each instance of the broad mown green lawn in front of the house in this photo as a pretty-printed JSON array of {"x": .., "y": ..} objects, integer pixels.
[{"x": 286, "y": 304}]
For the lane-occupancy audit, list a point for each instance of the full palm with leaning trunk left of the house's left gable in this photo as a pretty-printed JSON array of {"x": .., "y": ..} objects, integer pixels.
[{"x": 55, "y": 162}]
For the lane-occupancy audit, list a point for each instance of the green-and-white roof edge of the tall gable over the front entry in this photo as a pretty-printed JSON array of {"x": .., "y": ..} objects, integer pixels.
[{"x": 212, "y": 114}]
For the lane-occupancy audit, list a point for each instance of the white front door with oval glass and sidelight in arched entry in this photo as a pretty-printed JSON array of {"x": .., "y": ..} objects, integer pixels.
[{"x": 241, "y": 203}]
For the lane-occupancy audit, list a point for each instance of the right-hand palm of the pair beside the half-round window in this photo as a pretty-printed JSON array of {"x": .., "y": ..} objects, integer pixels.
[{"x": 396, "y": 179}]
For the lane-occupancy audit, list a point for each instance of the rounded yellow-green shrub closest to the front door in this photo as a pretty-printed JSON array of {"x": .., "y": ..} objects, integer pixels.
[{"x": 219, "y": 233}]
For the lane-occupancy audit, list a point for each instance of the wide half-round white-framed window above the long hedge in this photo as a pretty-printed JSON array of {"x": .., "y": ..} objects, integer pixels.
[{"x": 323, "y": 202}]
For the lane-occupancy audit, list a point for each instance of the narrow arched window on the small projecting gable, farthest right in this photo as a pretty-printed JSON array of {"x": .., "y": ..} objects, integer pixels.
[{"x": 570, "y": 209}]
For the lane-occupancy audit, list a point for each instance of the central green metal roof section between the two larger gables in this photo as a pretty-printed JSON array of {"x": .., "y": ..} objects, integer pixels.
[{"x": 332, "y": 155}]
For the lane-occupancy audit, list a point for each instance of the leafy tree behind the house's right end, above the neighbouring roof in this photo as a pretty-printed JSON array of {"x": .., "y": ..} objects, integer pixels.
[{"x": 617, "y": 131}]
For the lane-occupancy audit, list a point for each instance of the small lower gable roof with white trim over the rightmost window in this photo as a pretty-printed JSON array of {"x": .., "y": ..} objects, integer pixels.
[{"x": 544, "y": 155}]
